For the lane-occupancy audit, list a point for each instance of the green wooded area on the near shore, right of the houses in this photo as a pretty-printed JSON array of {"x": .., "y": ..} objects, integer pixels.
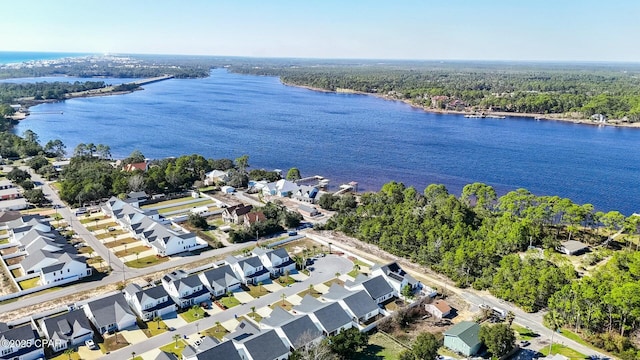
[{"x": 508, "y": 245}]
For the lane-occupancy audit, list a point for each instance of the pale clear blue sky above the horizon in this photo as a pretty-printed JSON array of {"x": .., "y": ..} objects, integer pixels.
[{"x": 559, "y": 30}]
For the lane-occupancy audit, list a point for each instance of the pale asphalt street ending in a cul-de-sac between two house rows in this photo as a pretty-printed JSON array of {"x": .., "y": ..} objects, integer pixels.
[{"x": 326, "y": 268}]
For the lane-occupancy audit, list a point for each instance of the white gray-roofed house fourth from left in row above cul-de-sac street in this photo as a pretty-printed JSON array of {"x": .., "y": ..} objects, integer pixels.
[{"x": 150, "y": 302}]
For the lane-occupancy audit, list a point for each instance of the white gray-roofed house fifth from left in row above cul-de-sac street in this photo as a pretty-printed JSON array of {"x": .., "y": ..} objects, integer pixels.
[{"x": 185, "y": 290}]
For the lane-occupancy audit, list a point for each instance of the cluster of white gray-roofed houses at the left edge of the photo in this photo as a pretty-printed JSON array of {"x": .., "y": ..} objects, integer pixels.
[{"x": 42, "y": 252}]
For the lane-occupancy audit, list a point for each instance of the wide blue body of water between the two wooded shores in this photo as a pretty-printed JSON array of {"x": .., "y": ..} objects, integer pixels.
[{"x": 349, "y": 137}]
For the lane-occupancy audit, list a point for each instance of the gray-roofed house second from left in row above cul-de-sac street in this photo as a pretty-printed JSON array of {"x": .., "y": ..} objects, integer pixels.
[{"x": 69, "y": 329}]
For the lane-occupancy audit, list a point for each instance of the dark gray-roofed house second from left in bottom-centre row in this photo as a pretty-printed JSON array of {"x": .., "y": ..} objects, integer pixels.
[{"x": 265, "y": 345}]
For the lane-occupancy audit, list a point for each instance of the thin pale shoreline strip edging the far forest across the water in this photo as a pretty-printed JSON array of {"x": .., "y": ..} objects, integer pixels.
[{"x": 537, "y": 117}]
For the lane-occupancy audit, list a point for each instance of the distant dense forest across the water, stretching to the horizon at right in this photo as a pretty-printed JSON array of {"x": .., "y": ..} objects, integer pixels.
[{"x": 523, "y": 88}]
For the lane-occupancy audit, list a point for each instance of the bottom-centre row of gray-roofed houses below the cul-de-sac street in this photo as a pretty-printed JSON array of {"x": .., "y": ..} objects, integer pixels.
[{"x": 354, "y": 305}]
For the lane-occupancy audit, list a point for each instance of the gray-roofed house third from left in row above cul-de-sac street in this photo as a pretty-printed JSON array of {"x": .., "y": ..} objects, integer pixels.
[{"x": 111, "y": 313}]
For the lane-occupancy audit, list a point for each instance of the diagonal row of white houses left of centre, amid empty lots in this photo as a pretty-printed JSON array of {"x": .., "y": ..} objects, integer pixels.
[{"x": 146, "y": 225}]
